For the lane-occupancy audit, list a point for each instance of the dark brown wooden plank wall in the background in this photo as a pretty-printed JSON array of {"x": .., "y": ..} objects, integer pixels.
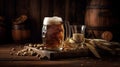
[{"x": 70, "y": 10}]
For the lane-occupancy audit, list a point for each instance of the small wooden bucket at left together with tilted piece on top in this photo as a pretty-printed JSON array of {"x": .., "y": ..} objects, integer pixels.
[{"x": 20, "y": 31}]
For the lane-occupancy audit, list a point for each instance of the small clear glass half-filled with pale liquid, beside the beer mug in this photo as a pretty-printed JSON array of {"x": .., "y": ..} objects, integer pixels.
[{"x": 78, "y": 33}]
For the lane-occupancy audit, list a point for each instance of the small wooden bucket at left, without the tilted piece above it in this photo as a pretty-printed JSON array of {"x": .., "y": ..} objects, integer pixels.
[{"x": 20, "y": 34}]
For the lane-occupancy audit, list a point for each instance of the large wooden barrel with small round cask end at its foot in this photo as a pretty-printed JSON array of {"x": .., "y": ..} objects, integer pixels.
[{"x": 99, "y": 20}]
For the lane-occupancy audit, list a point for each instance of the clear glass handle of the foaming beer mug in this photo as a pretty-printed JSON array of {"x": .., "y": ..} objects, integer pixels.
[{"x": 67, "y": 30}]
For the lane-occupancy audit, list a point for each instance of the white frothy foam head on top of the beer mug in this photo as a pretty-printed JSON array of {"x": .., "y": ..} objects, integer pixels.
[{"x": 52, "y": 20}]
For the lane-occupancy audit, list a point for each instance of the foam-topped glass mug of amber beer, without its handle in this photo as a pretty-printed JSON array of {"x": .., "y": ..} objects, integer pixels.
[{"x": 53, "y": 33}]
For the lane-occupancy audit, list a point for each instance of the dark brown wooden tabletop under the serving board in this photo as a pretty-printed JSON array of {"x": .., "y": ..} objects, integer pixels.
[{"x": 7, "y": 60}]
